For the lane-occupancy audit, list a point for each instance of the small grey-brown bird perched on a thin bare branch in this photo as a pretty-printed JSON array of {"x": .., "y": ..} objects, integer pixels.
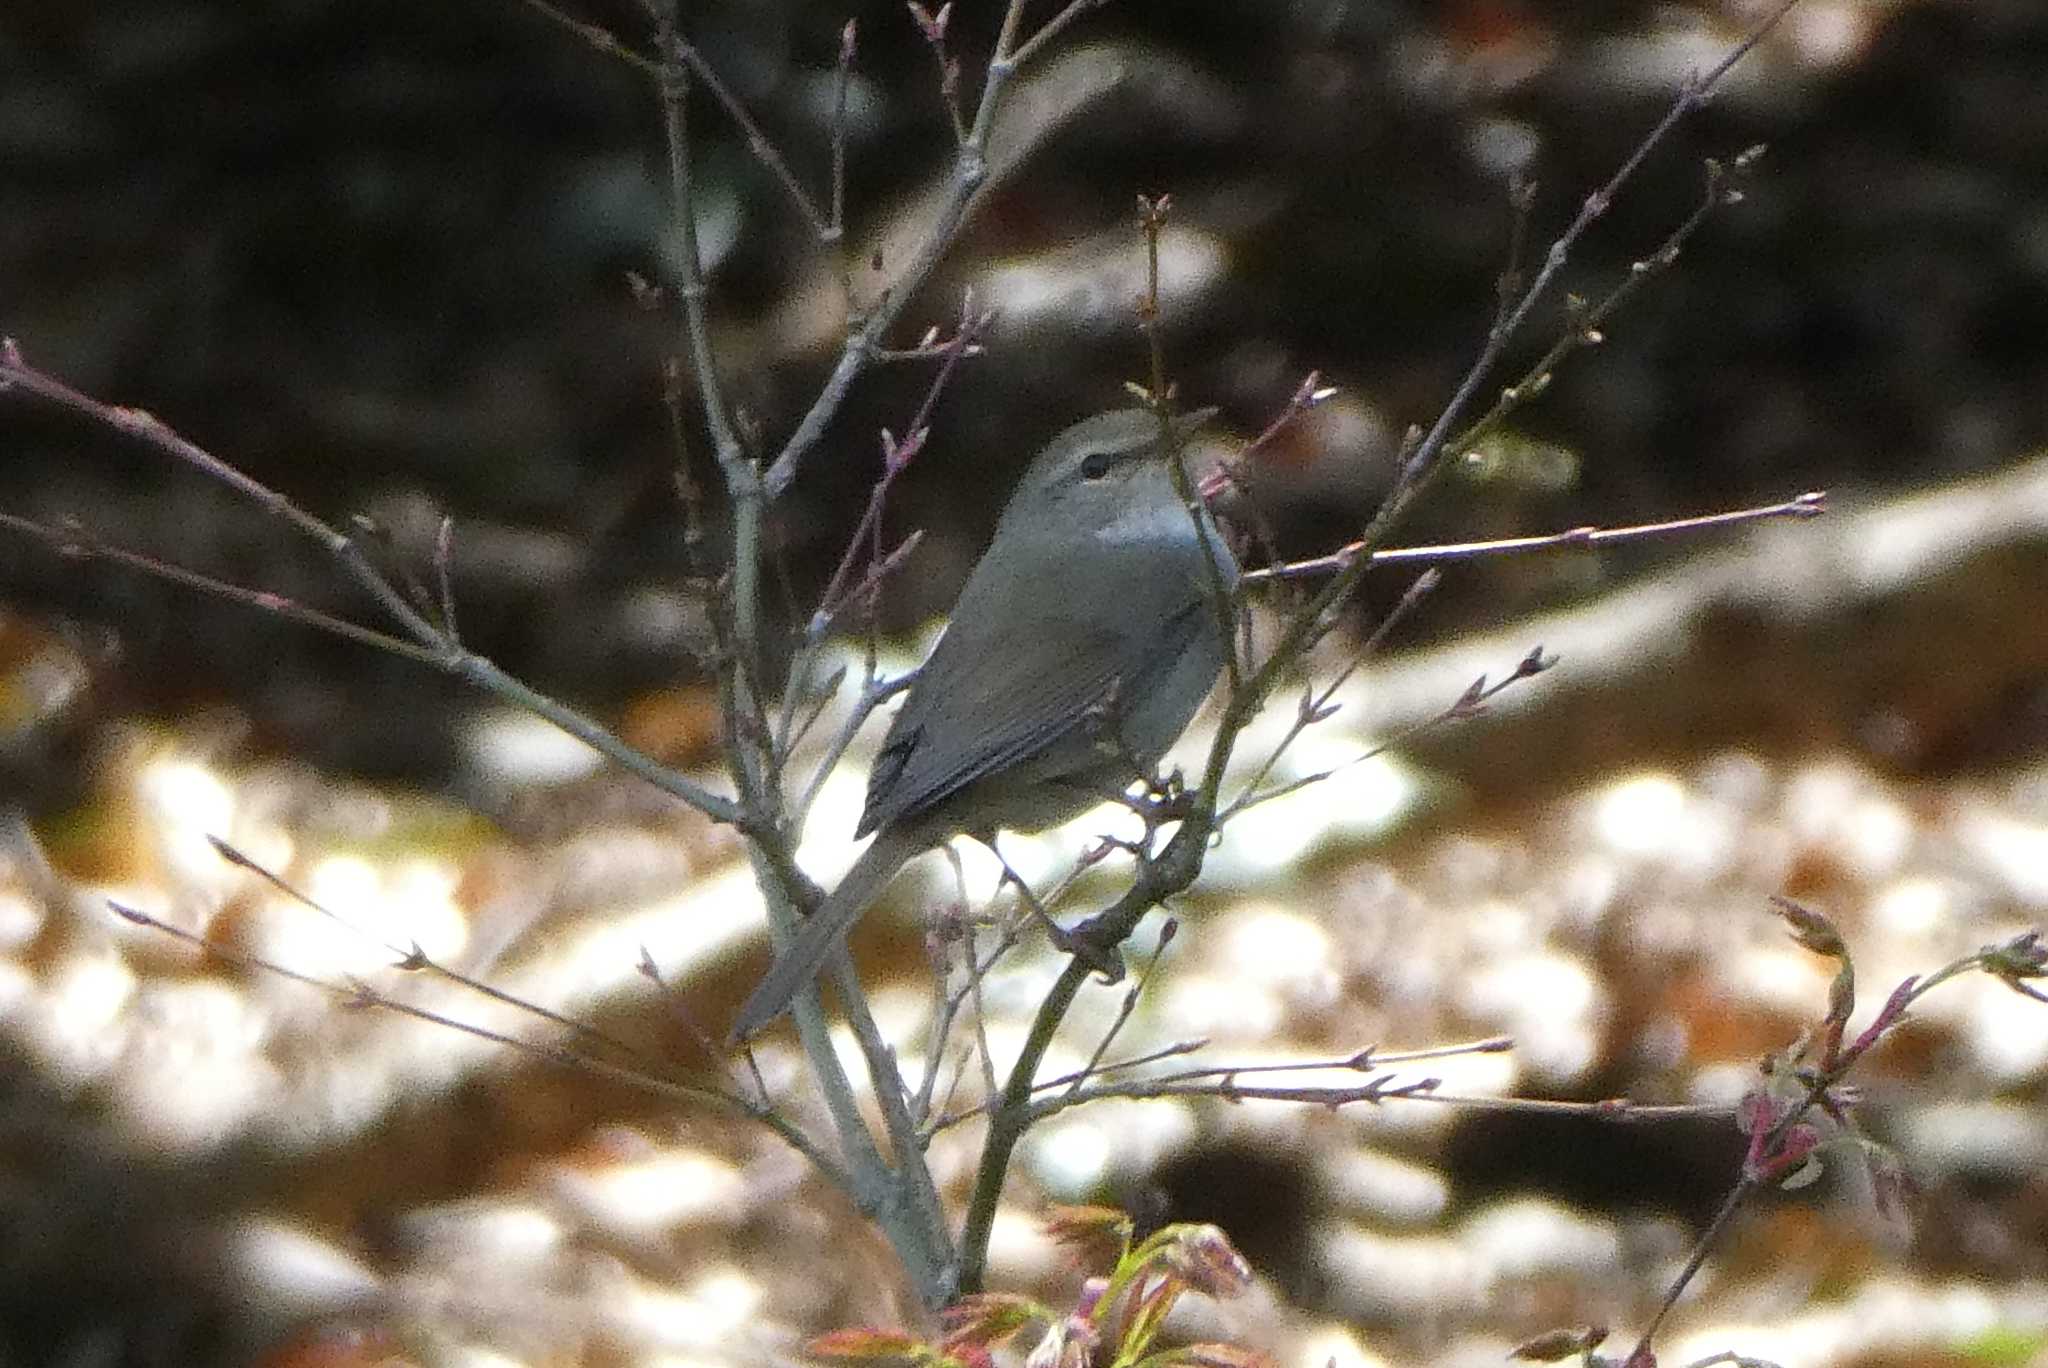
[{"x": 1084, "y": 642}]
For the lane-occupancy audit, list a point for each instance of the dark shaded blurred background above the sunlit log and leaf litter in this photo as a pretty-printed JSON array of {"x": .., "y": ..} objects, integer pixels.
[{"x": 378, "y": 255}]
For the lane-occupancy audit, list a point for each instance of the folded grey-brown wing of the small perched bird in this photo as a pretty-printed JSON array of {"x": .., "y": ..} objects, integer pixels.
[{"x": 976, "y": 710}]
